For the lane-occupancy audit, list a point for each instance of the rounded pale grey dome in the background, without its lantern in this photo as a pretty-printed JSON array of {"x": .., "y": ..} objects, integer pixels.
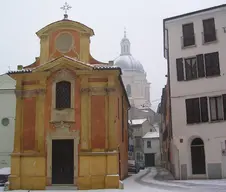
[{"x": 128, "y": 63}]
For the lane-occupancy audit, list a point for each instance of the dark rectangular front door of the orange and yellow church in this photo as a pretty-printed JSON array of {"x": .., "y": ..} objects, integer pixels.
[{"x": 63, "y": 161}]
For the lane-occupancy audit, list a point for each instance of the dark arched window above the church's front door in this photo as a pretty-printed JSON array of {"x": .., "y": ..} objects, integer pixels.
[{"x": 63, "y": 95}]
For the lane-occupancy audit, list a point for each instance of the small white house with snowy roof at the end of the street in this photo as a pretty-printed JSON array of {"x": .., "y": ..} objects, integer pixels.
[{"x": 151, "y": 149}]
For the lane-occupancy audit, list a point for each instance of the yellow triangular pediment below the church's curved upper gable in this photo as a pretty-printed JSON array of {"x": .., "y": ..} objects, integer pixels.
[{"x": 63, "y": 62}]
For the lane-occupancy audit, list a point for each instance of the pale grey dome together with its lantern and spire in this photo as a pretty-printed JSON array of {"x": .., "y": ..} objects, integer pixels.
[{"x": 126, "y": 61}]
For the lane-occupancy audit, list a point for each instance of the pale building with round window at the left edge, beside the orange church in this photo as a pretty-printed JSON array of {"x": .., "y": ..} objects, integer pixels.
[{"x": 7, "y": 118}]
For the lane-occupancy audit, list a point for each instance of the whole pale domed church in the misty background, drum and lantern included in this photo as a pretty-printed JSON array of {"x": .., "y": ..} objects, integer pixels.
[{"x": 134, "y": 76}]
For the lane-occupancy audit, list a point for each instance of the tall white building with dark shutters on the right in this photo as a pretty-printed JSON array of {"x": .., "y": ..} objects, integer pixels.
[{"x": 194, "y": 45}]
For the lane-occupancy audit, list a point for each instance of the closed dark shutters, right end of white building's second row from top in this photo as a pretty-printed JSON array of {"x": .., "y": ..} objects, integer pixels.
[{"x": 212, "y": 64}]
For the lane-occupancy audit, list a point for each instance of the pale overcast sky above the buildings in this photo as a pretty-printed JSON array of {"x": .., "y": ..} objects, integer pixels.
[{"x": 21, "y": 19}]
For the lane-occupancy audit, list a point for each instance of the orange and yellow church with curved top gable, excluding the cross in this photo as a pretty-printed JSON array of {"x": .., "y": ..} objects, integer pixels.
[{"x": 71, "y": 115}]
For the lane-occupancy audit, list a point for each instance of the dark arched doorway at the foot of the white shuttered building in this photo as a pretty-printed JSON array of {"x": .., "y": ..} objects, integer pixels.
[{"x": 198, "y": 161}]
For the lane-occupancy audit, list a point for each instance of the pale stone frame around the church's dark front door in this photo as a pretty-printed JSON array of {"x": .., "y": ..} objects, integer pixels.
[{"x": 62, "y": 134}]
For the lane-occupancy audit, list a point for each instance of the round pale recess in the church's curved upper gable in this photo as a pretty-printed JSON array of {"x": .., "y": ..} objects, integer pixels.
[{"x": 64, "y": 42}]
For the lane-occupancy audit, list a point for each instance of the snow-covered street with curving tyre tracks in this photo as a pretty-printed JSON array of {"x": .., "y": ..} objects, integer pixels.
[{"x": 149, "y": 180}]
